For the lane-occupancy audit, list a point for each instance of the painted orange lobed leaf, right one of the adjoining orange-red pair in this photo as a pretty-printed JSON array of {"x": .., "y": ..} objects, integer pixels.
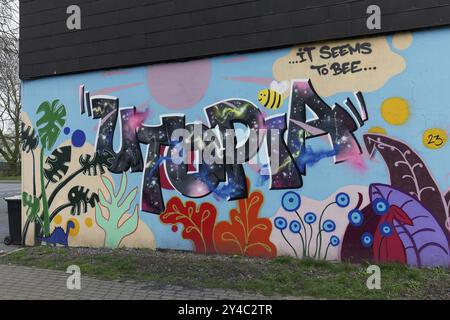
[{"x": 246, "y": 233}]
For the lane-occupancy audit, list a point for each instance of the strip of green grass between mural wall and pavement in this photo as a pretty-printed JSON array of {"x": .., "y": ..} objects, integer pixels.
[{"x": 280, "y": 276}]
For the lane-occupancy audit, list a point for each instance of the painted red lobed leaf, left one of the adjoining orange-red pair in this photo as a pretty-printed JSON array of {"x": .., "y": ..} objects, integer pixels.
[{"x": 198, "y": 223}]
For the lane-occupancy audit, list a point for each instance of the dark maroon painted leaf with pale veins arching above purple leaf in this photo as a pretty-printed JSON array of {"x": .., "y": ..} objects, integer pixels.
[{"x": 408, "y": 173}]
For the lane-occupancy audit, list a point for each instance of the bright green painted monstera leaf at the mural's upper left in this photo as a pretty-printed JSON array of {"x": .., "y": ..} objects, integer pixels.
[{"x": 50, "y": 123}]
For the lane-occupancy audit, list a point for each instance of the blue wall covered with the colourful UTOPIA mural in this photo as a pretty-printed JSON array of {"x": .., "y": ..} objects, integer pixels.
[{"x": 361, "y": 127}]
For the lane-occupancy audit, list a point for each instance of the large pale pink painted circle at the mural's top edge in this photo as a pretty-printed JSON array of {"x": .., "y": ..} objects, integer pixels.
[{"x": 179, "y": 85}]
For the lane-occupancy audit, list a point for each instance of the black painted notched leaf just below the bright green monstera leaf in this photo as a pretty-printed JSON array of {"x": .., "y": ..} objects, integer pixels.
[{"x": 58, "y": 164}]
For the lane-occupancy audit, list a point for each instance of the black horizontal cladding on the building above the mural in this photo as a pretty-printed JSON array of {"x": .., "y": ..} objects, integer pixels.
[{"x": 116, "y": 33}]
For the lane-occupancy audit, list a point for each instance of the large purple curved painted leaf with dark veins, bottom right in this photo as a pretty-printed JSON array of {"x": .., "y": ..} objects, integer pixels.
[{"x": 425, "y": 242}]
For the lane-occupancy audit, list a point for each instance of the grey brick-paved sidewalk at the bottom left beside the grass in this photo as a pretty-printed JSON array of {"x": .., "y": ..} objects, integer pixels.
[{"x": 17, "y": 282}]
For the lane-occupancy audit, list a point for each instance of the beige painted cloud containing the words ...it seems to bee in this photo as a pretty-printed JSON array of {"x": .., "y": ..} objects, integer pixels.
[{"x": 340, "y": 66}]
